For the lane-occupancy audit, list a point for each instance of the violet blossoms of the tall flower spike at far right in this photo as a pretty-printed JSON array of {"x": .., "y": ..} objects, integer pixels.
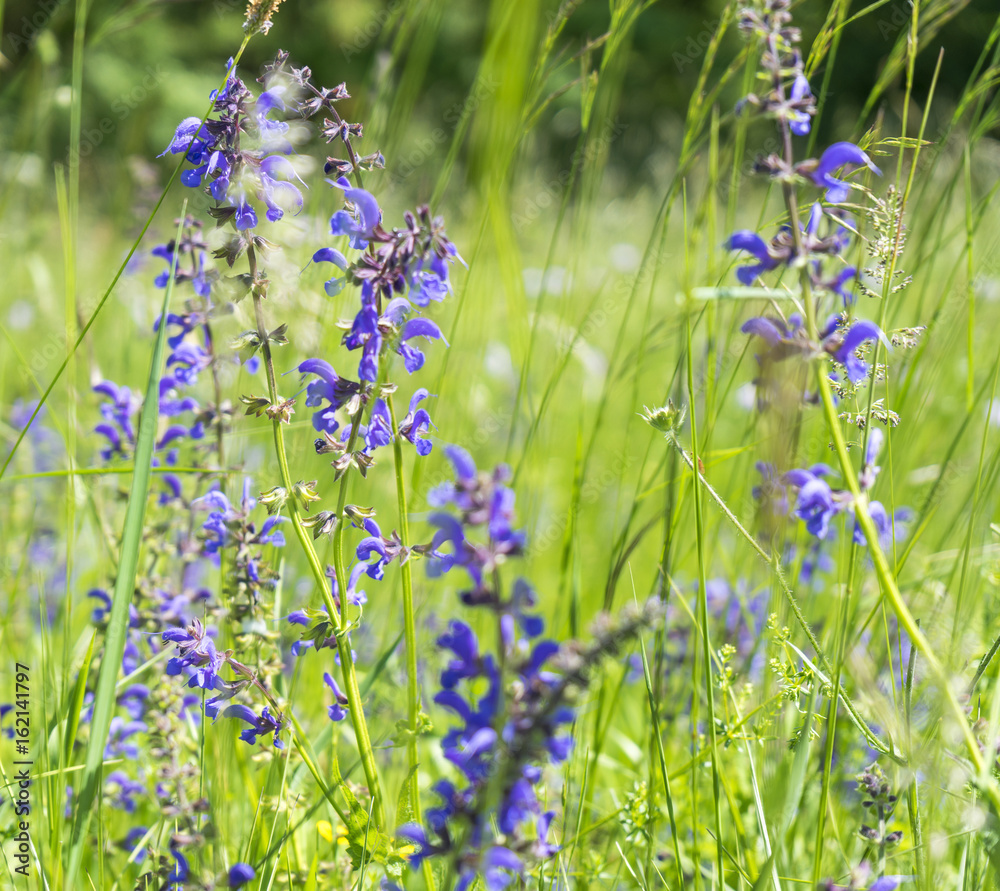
[{"x": 813, "y": 249}]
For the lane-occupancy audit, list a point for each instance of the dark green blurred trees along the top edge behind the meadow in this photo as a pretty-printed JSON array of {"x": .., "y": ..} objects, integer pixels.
[{"x": 149, "y": 64}]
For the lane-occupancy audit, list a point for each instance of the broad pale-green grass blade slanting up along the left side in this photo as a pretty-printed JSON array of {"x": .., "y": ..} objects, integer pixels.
[{"x": 114, "y": 642}]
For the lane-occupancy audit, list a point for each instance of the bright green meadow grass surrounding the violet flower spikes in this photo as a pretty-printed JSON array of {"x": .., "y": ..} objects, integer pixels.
[{"x": 587, "y": 296}]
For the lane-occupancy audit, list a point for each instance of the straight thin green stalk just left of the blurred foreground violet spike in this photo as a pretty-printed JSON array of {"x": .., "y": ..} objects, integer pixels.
[{"x": 410, "y": 632}]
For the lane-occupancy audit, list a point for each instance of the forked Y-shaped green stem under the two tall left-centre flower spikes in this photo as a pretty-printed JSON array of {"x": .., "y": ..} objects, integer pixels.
[{"x": 352, "y": 691}]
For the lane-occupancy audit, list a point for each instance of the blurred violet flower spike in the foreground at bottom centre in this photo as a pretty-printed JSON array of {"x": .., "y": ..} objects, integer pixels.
[{"x": 513, "y": 707}]
